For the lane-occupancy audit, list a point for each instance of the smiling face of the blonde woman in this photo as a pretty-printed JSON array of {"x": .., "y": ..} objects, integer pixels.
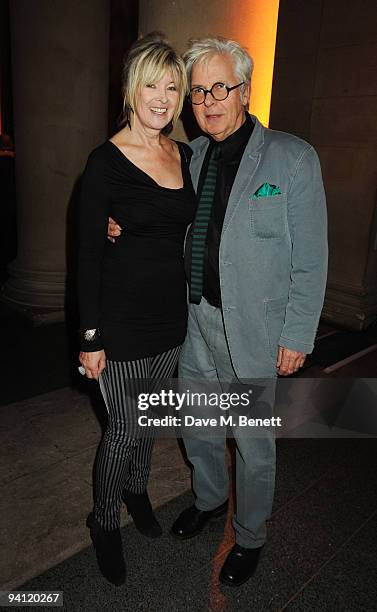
[{"x": 156, "y": 103}]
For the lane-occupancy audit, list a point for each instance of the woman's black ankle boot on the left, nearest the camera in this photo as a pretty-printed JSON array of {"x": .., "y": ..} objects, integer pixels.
[{"x": 109, "y": 552}]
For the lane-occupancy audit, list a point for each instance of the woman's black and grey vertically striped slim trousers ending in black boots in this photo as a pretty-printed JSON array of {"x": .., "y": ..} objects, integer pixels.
[{"x": 124, "y": 456}]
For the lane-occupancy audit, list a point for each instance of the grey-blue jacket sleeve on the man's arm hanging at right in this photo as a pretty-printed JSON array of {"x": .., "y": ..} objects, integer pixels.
[{"x": 307, "y": 221}]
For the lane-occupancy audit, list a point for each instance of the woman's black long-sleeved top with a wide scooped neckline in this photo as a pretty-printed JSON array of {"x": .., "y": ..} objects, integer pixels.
[{"x": 134, "y": 291}]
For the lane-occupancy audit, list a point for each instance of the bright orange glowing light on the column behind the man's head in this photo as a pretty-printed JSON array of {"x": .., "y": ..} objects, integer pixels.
[{"x": 255, "y": 25}]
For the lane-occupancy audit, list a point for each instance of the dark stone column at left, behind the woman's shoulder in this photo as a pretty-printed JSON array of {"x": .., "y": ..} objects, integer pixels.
[{"x": 60, "y": 88}]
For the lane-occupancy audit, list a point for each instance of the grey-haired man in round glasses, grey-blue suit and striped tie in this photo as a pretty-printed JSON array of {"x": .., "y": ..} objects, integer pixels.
[{"x": 256, "y": 257}]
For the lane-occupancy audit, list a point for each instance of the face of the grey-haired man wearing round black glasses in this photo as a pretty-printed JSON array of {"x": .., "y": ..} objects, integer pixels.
[{"x": 219, "y": 118}]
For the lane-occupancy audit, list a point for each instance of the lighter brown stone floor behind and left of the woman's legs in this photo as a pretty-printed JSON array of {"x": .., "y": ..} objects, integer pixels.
[{"x": 47, "y": 449}]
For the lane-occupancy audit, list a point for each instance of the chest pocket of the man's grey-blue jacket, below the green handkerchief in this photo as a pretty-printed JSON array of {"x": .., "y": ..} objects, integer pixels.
[{"x": 267, "y": 217}]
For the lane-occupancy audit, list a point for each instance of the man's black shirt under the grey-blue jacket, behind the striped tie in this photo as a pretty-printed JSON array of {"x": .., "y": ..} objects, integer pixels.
[{"x": 231, "y": 151}]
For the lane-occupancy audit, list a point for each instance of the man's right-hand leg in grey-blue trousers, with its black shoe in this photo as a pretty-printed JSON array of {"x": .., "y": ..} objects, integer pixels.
[{"x": 255, "y": 468}]
